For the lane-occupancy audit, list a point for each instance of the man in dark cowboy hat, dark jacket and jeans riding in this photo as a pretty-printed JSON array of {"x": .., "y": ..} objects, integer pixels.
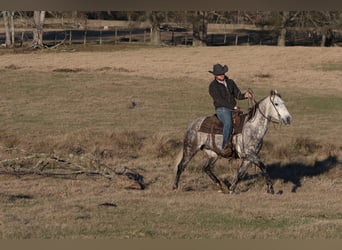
[{"x": 224, "y": 91}]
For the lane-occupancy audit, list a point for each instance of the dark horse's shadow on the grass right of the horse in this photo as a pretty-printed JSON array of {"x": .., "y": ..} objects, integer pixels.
[{"x": 294, "y": 172}]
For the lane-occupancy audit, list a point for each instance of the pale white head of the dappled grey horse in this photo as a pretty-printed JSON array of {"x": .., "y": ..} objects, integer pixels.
[{"x": 278, "y": 110}]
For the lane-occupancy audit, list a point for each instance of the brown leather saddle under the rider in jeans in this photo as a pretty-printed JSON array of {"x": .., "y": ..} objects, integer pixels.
[{"x": 212, "y": 125}]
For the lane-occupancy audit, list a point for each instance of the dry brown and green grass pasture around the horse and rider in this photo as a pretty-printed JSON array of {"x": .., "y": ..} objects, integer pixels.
[{"x": 76, "y": 105}]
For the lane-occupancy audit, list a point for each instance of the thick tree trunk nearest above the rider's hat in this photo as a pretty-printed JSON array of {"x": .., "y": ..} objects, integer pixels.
[{"x": 200, "y": 28}]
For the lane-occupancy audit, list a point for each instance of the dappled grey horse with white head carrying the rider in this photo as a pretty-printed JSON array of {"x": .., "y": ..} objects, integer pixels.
[{"x": 246, "y": 144}]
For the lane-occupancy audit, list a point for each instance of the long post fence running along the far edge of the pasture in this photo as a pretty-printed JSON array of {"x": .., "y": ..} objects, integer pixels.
[{"x": 175, "y": 37}]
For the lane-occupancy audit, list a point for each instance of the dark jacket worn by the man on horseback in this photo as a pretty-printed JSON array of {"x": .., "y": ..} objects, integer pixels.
[{"x": 225, "y": 97}]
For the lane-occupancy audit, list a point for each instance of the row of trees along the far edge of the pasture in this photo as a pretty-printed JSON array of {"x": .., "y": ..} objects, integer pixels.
[{"x": 322, "y": 22}]
